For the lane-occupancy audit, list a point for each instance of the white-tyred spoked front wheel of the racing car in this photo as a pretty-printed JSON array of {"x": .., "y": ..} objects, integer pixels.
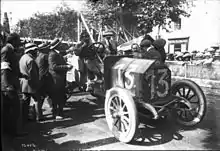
[{"x": 121, "y": 114}]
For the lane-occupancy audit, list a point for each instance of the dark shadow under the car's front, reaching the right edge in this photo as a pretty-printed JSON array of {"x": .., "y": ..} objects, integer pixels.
[{"x": 156, "y": 132}]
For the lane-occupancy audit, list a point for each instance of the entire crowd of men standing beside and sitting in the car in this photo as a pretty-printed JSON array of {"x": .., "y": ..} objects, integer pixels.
[{"x": 31, "y": 71}]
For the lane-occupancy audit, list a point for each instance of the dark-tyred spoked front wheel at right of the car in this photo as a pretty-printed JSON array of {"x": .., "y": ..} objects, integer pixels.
[{"x": 195, "y": 96}]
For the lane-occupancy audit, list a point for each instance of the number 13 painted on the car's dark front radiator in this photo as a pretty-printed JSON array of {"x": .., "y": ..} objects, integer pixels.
[{"x": 161, "y": 82}]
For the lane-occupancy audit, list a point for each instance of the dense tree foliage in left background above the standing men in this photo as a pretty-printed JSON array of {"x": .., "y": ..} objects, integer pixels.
[{"x": 60, "y": 23}]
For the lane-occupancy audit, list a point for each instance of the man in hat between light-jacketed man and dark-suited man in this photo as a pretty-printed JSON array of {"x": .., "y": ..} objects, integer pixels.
[{"x": 44, "y": 75}]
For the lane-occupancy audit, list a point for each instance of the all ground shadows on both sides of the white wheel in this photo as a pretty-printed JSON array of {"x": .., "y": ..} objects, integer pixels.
[{"x": 151, "y": 132}]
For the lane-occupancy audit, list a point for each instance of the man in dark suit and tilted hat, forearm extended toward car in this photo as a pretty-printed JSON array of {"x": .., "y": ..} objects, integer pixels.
[{"x": 57, "y": 68}]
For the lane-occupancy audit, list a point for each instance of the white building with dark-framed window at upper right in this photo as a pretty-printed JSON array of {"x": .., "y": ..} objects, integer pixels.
[{"x": 199, "y": 31}]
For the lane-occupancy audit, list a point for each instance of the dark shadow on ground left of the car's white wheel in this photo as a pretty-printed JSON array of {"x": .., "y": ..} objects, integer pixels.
[{"x": 84, "y": 110}]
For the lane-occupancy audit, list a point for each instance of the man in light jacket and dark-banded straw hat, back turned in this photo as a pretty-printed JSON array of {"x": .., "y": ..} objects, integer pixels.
[{"x": 30, "y": 80}]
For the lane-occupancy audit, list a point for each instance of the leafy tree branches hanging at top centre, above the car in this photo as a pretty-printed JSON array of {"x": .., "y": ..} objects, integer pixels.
[{"x": 145, "y": 14}]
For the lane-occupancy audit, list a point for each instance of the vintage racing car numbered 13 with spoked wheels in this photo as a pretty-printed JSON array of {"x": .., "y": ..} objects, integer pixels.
[{"x": 134, "y": 87}]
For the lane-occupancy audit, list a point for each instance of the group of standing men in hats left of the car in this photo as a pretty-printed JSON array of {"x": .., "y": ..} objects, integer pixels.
[{"x": 36, "y": 72}]
